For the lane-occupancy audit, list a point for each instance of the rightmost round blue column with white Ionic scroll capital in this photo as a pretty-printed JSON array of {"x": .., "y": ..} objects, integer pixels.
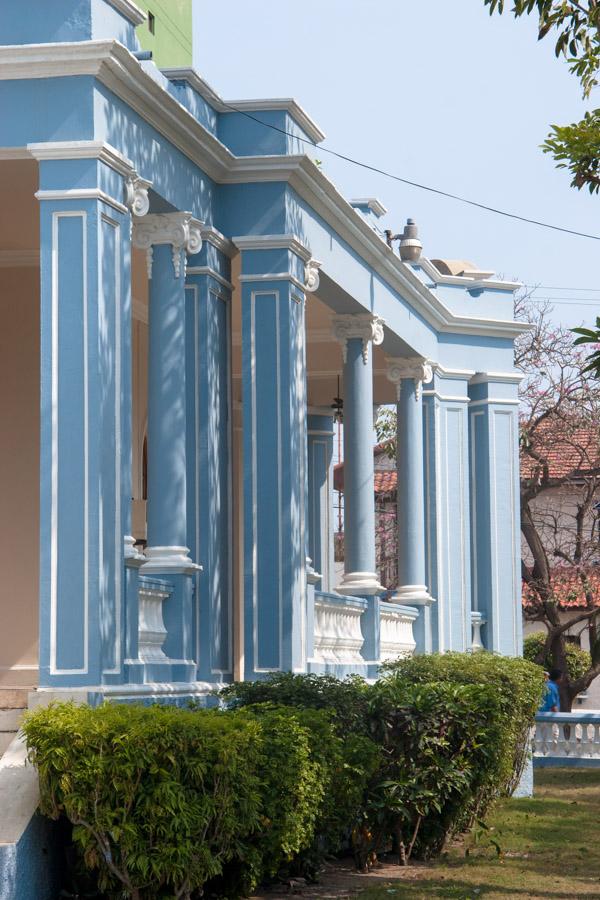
[{"x": 408, "y": 375}]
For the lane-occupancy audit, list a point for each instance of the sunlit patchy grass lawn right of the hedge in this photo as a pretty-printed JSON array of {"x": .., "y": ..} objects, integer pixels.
[{"x": 548, "y": 848}]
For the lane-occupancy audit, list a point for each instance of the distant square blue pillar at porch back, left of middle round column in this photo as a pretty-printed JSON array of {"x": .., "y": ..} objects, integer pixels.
[{"x": 320, "y": 497}]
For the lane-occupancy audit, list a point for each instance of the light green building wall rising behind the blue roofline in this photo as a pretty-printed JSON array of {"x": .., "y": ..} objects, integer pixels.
[{"x": 171, "y": 44}]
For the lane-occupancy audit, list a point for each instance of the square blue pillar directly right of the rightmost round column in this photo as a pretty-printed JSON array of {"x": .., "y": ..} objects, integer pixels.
[{"x": 447, "y": 515}]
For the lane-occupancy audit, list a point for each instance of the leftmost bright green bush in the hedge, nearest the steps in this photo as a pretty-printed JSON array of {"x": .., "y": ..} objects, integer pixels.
[{"x": 159, "y": 798}]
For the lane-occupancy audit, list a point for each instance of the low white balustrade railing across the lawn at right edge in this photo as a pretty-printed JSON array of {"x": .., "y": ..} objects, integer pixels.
[{"x": 567, "y": 739}]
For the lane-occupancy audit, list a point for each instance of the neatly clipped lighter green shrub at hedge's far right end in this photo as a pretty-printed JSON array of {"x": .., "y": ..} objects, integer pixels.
[{"x": 519, "y": 685}]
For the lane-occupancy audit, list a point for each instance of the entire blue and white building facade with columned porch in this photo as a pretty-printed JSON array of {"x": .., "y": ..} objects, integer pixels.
[{"x": 181, "y": 287}]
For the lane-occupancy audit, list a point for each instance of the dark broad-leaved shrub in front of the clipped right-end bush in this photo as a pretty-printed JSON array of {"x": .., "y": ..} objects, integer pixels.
[{"x": 441, "y": 745}]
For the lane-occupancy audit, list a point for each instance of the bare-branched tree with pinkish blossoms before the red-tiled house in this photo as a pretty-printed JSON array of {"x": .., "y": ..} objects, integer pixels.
[{"x": 560, "y": 489}]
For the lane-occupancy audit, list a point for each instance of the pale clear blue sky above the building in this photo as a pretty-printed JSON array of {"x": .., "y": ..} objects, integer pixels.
[{"x": 440, "y": 93}]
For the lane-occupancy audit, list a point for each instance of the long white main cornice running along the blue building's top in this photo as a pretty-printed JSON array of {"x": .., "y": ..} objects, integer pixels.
[{"x": 115, "y": 67}]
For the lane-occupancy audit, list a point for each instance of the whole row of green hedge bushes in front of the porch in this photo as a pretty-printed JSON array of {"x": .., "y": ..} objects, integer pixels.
[{"x": 167, "y": 802}]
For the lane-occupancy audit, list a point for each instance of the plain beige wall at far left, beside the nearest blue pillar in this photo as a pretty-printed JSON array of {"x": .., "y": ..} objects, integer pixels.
[{"x": 19, "y": 474}]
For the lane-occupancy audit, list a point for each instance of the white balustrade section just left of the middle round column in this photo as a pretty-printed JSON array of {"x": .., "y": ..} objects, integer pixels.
[{"x": 338, "y": 635}]
